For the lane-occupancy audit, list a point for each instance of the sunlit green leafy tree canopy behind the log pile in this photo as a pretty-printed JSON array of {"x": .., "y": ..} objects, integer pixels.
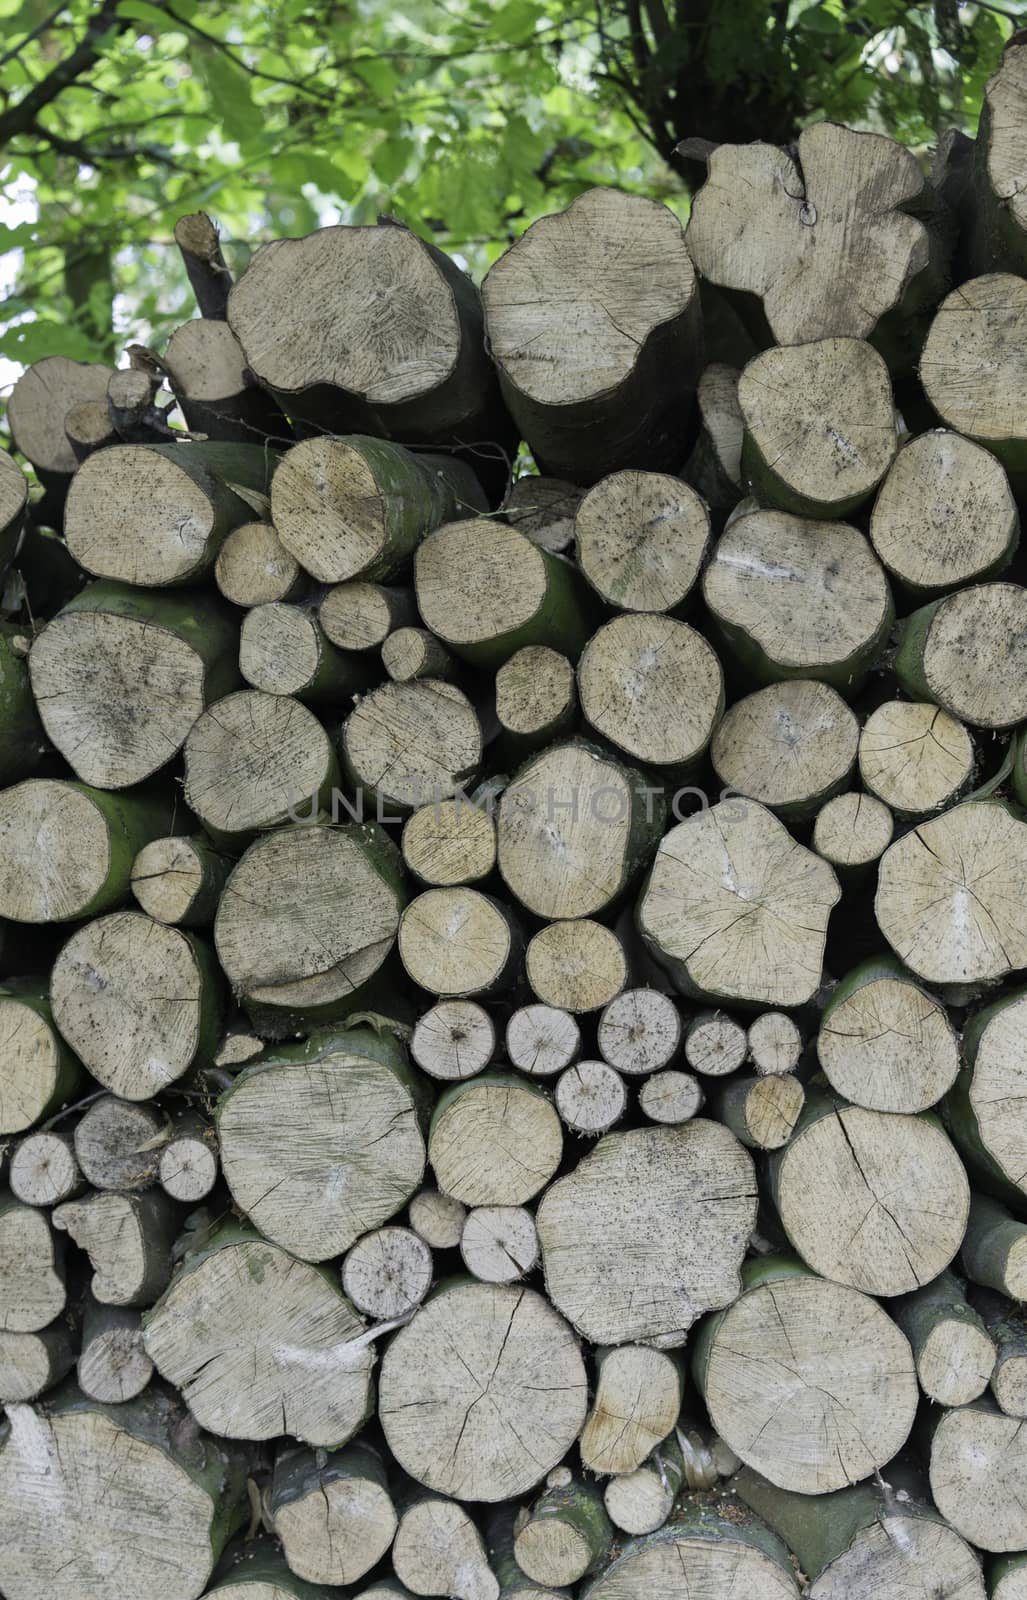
[{"x": 466, "y": 119}]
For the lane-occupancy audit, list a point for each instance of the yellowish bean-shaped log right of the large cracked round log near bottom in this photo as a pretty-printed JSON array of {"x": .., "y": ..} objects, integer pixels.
[{"x": 636, "y": 1407}]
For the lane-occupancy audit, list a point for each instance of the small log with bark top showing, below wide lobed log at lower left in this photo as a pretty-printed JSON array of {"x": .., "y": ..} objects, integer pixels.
[{"x": 334, "y": 1513}]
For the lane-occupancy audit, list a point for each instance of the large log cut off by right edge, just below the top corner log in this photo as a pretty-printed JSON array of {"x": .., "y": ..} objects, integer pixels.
[{"x": 972, "y": 366}]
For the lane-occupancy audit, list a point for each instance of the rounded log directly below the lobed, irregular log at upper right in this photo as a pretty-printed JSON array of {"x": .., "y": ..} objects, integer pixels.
[{"x": 820, "y": 426}]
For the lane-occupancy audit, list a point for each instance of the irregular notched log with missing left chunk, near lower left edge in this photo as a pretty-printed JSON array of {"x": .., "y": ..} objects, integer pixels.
[{"x": 129, "y": 1241}]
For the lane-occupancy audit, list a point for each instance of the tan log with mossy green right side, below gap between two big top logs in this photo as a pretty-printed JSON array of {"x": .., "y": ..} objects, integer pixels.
[{"x": 487, "y": 591}]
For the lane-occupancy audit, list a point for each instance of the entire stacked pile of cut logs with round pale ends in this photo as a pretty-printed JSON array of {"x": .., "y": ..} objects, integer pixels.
[{"x": 514, "y": 1030}]
